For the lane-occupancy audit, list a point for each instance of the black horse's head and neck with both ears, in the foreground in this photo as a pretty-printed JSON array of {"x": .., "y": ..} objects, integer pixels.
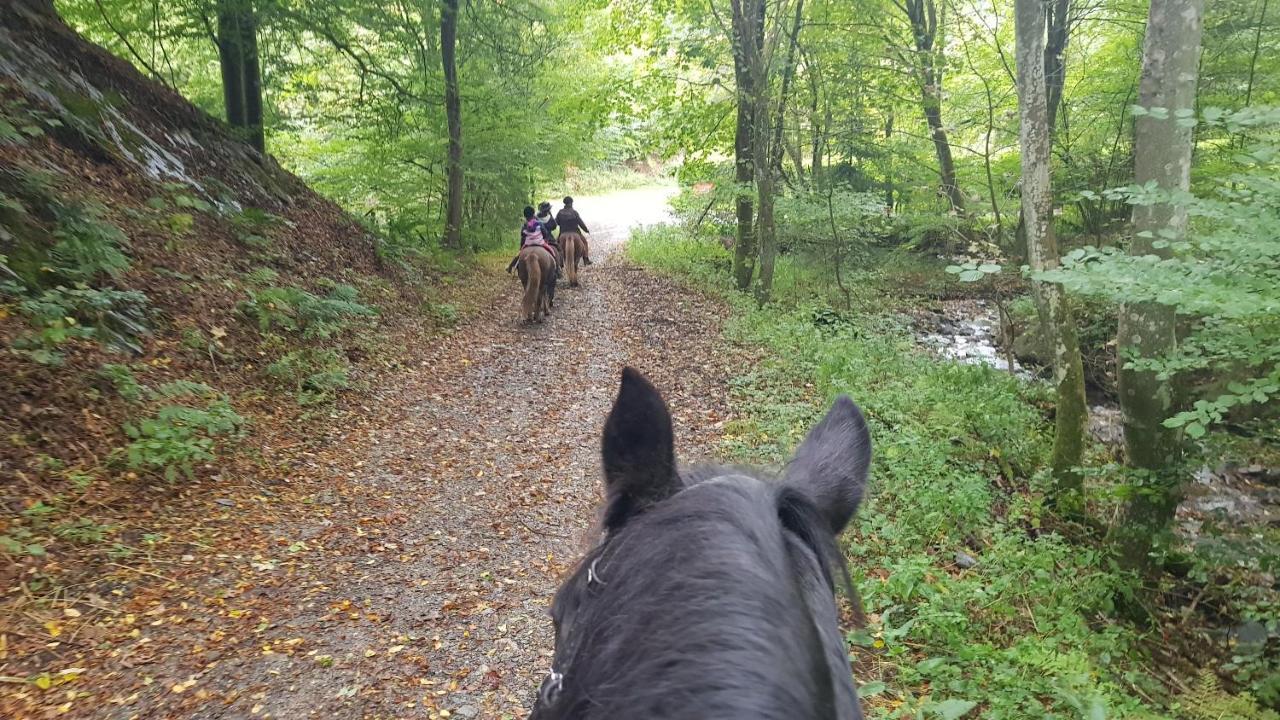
[{"x": 712, "y": 595}]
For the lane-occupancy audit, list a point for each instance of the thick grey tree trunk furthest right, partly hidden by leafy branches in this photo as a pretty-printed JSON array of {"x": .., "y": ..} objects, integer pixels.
[{"x": 1163, "y": 154}]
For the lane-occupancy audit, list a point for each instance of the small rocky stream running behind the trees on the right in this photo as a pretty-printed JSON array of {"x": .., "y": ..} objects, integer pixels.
[{"x": 967, "y": 331}]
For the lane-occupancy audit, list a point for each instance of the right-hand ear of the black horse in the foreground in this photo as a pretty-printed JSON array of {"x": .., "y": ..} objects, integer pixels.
[{"x": 833, "y": 463}]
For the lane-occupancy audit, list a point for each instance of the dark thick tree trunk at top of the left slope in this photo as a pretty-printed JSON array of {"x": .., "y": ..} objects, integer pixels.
[{"x": 241, "y": 70}]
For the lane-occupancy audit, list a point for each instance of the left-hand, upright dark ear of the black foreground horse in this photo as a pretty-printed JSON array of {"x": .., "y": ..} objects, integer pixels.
[{"x": 639, "y": 452}]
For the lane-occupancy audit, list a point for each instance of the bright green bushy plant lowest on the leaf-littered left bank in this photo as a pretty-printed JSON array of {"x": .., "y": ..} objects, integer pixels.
[{"x": 177, "y": 438}]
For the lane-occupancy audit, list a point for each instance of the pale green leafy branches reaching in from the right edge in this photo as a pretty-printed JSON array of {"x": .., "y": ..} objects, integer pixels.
[{"x": 1224, "y": 279}]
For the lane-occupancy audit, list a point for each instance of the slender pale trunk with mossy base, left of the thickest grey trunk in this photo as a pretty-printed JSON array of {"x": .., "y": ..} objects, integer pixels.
[{"x": 1052, "y": 303}]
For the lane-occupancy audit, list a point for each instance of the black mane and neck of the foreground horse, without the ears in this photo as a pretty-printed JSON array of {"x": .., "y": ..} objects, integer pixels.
[{"x": 650, "y": 626}]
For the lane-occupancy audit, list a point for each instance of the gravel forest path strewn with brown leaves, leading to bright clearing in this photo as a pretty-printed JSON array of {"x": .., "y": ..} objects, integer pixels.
[{"x": 417, "y": 578}]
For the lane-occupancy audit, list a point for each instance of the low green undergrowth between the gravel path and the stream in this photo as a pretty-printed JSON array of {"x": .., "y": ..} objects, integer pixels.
[{"x": 1008, "y": 635}]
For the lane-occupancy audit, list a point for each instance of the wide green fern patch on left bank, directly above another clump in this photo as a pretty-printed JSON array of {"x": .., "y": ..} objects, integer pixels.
[{"x": 296, "y": 311}]
